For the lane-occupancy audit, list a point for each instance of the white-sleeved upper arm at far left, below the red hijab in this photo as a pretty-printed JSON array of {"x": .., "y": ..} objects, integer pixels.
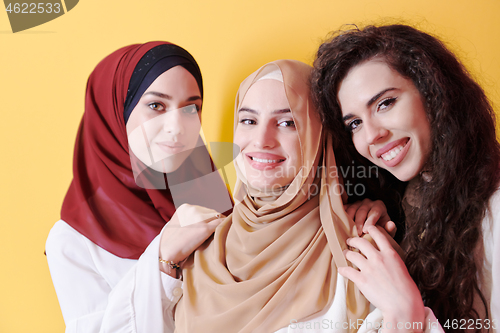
[{"x": 82, "y": 271}]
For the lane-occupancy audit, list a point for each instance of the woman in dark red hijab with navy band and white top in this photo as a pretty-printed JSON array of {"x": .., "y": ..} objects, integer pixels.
[{"x": 138, "y": 156}]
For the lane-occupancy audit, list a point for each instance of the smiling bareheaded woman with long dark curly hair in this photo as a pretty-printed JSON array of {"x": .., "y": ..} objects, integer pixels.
[{"x": 406, "y": 104}]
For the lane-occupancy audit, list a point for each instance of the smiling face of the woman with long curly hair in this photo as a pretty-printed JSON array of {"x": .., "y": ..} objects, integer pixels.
[{"x": 385, "y": 113}]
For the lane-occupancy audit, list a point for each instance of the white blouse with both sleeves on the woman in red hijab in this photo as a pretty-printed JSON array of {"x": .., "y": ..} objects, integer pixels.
[{"x": 100, "y": 292}]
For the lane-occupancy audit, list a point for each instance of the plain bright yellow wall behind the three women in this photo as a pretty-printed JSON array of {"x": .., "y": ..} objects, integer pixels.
[{"x": 43, "y": 73}]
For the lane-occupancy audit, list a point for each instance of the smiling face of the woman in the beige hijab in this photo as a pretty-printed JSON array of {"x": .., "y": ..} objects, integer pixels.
[{"x": 267, "y": 137}]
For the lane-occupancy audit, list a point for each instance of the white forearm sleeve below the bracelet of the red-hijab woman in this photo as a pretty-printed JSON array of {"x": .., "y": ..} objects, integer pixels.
[{"x": 143, "y": 301}]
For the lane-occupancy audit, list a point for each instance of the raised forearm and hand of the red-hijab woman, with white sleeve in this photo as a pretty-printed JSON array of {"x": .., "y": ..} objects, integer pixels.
[{"x": 134, "y": 304}]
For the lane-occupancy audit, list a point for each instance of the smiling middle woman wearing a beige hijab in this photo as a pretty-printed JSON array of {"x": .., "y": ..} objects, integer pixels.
[{"x": 270, "y": 263}]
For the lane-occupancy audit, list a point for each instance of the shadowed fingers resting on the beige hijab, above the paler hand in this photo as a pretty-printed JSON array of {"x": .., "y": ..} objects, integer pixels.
[{"x": 368, "y": 213}]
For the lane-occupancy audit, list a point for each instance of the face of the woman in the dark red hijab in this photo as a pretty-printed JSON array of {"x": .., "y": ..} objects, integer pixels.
[{"x": 164, "y": 126}]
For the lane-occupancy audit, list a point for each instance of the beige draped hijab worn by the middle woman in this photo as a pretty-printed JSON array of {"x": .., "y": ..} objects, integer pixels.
[{"x": 271, "y": 262}]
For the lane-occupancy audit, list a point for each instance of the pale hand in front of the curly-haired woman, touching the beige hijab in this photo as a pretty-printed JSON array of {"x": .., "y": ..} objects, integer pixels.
[{"x": 384, "y": 279}]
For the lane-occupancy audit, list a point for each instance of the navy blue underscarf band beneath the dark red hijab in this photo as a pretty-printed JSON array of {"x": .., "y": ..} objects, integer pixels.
[{"x": 154, "y": 63}]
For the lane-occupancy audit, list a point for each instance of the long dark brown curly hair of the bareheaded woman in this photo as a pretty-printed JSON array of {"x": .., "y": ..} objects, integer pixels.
[{"x": 442, "y": 235}]
